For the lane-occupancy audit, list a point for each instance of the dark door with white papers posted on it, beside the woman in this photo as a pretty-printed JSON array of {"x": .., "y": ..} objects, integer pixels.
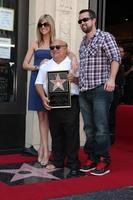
[{"x": 13, "y": 46}]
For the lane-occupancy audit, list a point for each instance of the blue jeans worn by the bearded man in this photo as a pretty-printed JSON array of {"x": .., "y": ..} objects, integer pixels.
[{"x": 95, "y": 105}]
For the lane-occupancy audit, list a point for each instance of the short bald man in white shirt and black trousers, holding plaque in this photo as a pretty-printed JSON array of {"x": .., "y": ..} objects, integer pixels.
[{"x": 63, "y": 122}]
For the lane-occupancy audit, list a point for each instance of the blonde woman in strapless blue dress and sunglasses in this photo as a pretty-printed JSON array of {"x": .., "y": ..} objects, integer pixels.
[{"x": 40, "y": 51}]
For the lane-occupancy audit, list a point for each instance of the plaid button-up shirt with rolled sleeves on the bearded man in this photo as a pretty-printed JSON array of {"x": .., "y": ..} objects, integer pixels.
[{"x": 96, "y": 56}]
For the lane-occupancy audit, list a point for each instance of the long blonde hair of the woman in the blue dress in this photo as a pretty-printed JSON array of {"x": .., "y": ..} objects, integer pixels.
[{"x": 51, "y": 22}]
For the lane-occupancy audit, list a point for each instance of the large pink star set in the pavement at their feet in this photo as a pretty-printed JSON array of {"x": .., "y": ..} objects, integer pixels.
[{"x": 26, "y": 171}]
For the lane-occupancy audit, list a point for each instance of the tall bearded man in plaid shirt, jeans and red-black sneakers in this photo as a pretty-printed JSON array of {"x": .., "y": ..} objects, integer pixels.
[{"x": 99, "y": 63}]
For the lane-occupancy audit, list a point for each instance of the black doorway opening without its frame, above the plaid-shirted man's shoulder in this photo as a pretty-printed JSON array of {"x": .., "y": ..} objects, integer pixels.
[{"x": 119, "y": 21}]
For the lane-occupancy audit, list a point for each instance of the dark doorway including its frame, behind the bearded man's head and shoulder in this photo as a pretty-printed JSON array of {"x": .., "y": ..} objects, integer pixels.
[{"x": 116, "y": 17}]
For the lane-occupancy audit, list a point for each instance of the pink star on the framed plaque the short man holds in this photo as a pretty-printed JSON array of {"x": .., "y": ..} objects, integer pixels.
[{"x": 58, "y": 83}]
